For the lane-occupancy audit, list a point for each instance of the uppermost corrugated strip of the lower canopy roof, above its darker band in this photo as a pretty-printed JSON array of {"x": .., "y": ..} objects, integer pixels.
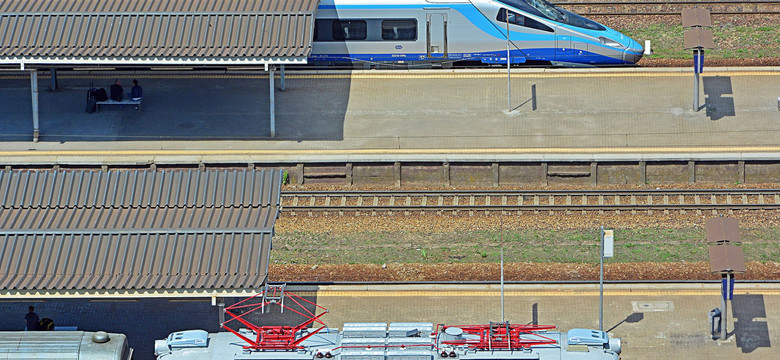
[{"x": 139, "y": 188}]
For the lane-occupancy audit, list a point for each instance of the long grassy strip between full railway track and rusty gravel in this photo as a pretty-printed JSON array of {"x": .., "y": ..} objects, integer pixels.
[{"x": 569, "y": 246}]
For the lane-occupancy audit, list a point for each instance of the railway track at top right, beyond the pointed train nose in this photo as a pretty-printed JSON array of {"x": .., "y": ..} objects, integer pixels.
[{"x": 671, "y": 8}]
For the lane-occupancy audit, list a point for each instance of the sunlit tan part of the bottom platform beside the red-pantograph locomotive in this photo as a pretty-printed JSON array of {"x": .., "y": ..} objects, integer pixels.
[{"x": 652, "y": 321}]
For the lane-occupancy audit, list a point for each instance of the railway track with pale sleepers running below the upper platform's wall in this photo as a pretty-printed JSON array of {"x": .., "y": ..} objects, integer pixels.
[{"x": 470, "y": 202}]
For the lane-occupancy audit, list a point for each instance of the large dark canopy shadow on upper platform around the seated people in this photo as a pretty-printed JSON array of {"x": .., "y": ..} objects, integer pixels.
[{"x": 195, "y": 107}]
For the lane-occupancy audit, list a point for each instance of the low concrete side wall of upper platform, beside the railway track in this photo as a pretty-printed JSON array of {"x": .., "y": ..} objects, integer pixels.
[{"x": 488, "y": 174}]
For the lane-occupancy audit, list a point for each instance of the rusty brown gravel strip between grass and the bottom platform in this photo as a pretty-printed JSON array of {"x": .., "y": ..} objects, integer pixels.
[{"x": 512, "y": 272}]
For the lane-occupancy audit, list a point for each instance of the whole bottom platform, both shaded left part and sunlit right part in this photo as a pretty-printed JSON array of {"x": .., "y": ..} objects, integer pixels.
[{"x": 654, "y": 321}]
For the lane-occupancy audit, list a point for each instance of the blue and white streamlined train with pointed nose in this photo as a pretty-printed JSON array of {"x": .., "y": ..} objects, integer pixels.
[{"x": 431, "y": 31}]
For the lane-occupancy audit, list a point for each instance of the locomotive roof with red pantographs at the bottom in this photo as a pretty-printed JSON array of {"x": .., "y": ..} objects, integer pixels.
[{"x": 378, "y": 340}]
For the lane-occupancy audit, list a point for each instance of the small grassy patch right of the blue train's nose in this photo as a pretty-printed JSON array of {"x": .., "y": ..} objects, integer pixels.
[{"x": 731, "y": 42}]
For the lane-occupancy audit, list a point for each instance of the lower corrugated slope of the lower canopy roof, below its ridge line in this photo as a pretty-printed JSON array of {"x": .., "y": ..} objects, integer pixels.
[{"x": 151, "y": 260}]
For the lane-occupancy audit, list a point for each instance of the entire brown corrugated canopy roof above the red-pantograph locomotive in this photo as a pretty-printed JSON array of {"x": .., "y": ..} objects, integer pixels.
[{"x": 135, "y": 231}]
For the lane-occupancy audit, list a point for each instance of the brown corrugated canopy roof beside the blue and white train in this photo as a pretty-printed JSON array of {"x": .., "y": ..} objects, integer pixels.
[{"x": 155, "y": 32}]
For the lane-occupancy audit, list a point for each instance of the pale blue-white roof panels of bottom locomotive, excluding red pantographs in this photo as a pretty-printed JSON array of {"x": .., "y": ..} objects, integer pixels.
[{"x": 376, "y": 341}]
